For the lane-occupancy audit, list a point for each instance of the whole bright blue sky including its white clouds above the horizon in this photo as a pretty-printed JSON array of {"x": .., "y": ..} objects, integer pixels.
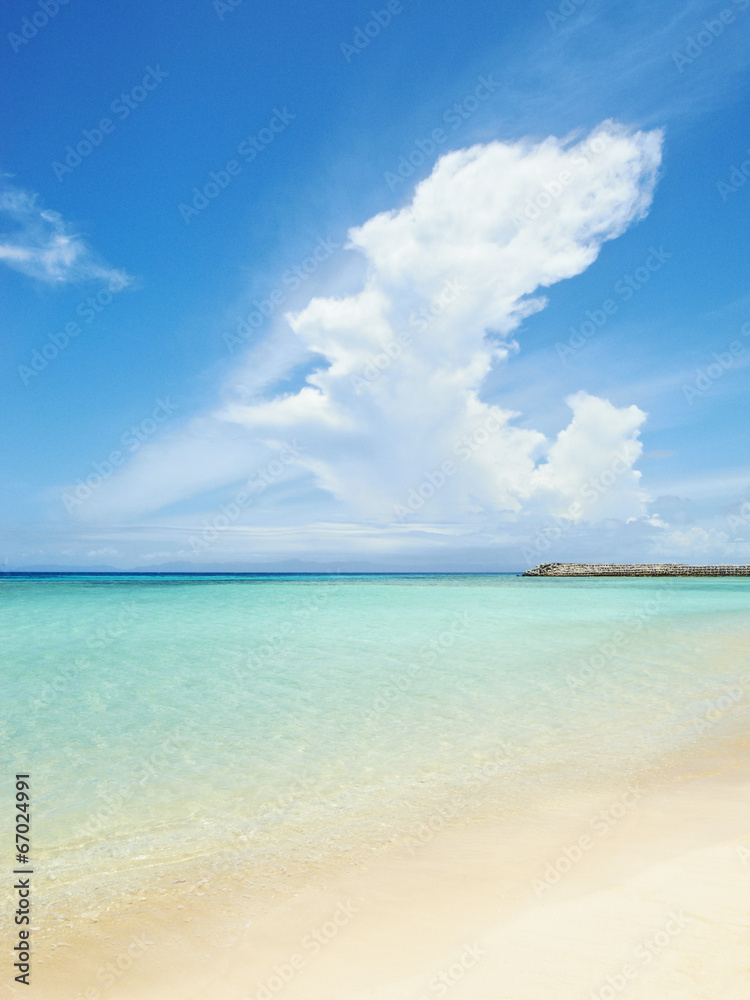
[{"x": 301, "y": 129}]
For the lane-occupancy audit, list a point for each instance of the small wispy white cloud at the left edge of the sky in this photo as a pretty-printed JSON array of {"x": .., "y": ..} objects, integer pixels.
[{"x": 37, "y": 242}]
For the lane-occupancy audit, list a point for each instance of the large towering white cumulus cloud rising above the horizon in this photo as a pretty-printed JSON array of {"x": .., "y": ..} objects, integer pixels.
[{"x": 393, "y": 426}]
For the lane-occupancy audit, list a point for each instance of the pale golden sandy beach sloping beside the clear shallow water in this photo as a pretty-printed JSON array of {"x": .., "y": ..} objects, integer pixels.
[{"x": 640, "y": 891}]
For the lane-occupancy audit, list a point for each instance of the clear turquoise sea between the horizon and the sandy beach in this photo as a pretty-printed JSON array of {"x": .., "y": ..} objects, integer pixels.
[{"x": 270, "y": 720}]
